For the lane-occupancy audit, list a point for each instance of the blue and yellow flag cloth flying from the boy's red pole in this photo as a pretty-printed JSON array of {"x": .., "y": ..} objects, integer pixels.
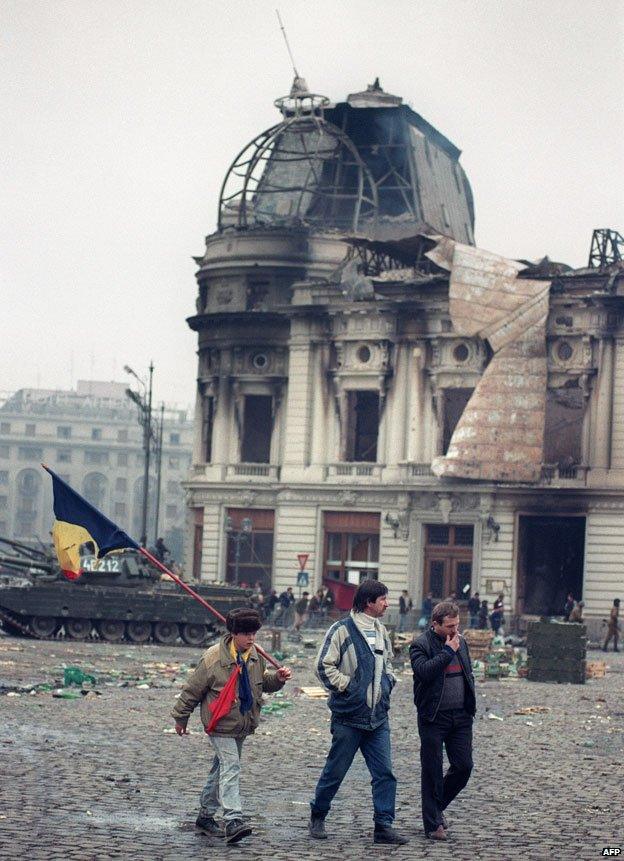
[{"x": 77, "y": 522}]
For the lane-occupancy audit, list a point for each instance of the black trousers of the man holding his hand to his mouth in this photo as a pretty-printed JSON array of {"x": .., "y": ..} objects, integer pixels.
[{"x": 453, "y": 729}]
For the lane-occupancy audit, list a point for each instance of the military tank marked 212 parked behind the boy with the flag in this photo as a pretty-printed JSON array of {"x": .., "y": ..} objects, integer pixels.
[{"x": 120, "y": 597}]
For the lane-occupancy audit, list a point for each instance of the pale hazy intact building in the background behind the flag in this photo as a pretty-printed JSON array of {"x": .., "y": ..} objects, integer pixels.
[{"x": 90, "y": 436}]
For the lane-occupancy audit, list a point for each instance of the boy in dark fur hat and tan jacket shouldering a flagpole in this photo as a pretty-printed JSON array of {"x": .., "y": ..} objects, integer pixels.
[{"x": 228, "y": 682}]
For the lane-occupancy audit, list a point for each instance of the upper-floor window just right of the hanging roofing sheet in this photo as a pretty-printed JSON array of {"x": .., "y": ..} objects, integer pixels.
[{"x": 563, "y": 431}]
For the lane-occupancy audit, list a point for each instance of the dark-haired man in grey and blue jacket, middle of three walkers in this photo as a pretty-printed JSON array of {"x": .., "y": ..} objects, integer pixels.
[{"x": 354, "y": 664}]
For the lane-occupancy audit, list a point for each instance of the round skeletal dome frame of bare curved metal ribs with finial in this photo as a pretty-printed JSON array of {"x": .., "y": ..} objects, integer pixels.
[{"x": 303, "y": 171}]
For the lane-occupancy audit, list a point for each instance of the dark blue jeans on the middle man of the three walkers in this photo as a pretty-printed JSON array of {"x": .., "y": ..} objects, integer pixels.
[{"x": 375, "y": 747}]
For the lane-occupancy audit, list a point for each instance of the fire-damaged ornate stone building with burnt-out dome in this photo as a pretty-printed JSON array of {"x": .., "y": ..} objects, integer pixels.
[{"x": 377, "y": 392}]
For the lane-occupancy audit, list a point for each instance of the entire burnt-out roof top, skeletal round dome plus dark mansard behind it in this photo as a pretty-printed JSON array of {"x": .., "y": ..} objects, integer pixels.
[{"x": 369, "y": 165}]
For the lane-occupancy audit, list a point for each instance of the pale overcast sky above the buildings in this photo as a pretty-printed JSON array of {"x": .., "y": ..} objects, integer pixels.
[{"x": 120, "y": 119}]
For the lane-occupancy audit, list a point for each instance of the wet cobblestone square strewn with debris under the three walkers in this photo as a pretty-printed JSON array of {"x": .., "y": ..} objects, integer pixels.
[{"x": 102, "y": 777}]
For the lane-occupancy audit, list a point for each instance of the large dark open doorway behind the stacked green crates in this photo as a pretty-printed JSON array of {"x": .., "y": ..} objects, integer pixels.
[{"x": 551, "y": 553}]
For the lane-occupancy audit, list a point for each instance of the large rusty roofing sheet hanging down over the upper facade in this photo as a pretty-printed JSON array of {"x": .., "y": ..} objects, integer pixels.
[{"x": 500, "y": 435}]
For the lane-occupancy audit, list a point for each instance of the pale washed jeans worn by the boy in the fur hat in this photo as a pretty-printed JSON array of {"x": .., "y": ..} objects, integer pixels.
[{"x": 223, "y": 785}]
